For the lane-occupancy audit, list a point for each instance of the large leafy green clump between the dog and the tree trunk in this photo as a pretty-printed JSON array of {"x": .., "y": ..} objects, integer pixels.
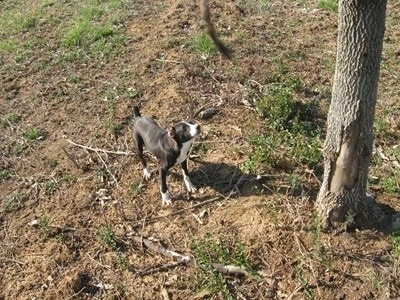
[{"x": 292, "y": 133}]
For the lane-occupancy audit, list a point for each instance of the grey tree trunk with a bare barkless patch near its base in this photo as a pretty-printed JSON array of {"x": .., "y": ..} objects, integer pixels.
[{"x": 348, "y": 145}]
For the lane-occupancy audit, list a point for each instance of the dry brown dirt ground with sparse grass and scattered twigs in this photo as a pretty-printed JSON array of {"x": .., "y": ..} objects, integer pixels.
[{"x": 72, "y": 218}]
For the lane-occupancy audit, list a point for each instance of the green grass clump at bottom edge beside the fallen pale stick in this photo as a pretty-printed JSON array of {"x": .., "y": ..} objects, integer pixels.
[{"x": 213, "y": 249}]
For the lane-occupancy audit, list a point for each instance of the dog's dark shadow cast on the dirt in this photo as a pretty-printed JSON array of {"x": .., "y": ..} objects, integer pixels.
[{"x": 227, "y": 180}]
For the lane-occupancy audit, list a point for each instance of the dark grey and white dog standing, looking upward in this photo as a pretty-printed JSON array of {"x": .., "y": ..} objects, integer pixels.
[{"x": 169, "y": 146}]
